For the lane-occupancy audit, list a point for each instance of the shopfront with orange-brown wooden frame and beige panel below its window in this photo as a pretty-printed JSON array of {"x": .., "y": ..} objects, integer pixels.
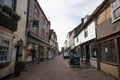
[{"x": 110, "y": 55}]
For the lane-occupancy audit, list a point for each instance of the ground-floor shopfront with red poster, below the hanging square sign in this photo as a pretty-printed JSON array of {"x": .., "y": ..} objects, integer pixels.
[{"x": 37, "y": 49}]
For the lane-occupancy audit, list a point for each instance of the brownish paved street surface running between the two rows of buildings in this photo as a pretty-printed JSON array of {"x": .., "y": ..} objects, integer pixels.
[{"x": 58, "y": 69}]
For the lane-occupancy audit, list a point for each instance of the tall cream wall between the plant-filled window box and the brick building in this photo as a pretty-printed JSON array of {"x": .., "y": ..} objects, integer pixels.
[{"x": 21, "y": 9}]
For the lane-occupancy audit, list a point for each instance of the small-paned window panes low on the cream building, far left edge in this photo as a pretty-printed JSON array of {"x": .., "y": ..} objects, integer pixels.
[{"x": 4, "y": 50}]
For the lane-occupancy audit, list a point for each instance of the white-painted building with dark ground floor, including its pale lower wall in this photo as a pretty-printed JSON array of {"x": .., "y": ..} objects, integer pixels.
[{"x": 85, "y": 40}]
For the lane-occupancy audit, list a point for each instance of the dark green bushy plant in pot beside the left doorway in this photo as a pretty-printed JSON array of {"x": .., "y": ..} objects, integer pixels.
[{"x": 19, "y": 66}]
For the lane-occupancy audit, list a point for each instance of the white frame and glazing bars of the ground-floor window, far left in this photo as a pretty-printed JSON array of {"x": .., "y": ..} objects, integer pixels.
[{"x": 5, "y": 44}]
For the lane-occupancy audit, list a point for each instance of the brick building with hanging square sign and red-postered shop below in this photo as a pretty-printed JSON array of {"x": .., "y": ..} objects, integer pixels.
[{"x": 38, "y": 28}]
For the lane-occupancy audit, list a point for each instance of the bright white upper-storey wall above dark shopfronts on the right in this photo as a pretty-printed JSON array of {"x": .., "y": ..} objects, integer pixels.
[{"x": 91, "y": 34}]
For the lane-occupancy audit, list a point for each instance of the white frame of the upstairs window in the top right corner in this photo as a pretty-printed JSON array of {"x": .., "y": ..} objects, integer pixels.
[{"x": 113, "y": 11}]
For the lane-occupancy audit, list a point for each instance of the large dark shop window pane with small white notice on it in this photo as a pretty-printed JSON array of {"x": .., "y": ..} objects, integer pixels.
[{"x": 108, "y": 52}]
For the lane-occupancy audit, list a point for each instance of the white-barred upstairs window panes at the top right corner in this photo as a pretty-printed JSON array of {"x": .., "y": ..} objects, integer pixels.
[{"x": 116, "y": 10}]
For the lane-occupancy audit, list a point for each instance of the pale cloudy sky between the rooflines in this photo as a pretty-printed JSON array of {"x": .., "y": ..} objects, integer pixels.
[{"x": 65, "y": 15}]
